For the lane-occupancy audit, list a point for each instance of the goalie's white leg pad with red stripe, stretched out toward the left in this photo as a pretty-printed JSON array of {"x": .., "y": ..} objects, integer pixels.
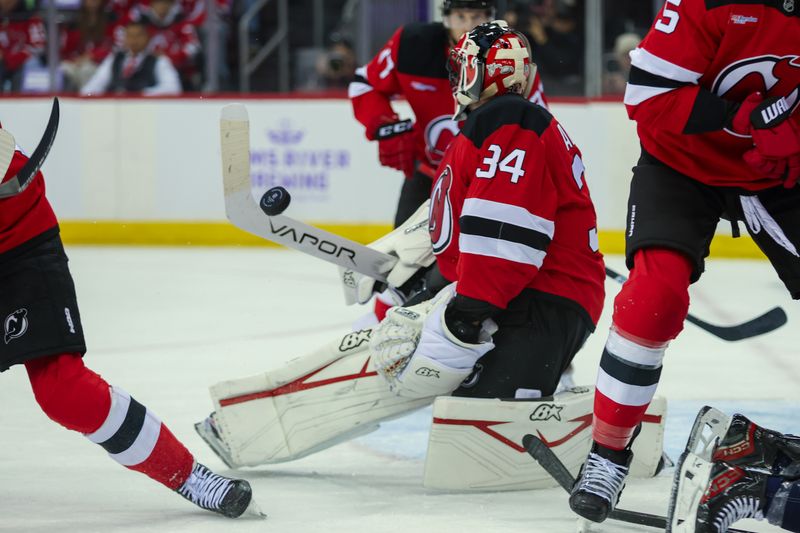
[{"x": 310, "y": 404}]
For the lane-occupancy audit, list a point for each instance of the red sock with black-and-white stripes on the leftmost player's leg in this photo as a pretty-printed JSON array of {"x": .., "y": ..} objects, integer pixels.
[{"x": 80, "y": 400}]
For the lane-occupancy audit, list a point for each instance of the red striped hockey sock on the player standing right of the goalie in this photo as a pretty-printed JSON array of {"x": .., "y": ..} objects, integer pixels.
[{"x": 648, "y": 312}]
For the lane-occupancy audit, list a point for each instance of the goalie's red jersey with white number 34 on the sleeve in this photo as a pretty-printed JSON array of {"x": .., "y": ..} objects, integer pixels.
[{"x": 511, "y": 209}]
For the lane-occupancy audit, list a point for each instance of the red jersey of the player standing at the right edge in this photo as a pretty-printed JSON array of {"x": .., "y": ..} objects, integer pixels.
[{"x": 698, "y": 55}]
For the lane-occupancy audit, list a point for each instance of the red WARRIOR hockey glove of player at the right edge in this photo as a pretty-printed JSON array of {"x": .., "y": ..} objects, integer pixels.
[{"x": 776, "y": 137}]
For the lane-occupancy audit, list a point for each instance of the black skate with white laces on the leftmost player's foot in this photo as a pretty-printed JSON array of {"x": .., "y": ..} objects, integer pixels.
[{"x": 210, "y": 491}]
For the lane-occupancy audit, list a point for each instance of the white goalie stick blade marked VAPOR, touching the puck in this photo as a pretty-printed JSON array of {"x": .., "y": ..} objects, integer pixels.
[{"x": 244, "y": 212}]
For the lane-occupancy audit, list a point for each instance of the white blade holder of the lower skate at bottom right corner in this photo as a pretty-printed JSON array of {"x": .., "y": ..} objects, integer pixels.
[{"x": 688, "y": 487}]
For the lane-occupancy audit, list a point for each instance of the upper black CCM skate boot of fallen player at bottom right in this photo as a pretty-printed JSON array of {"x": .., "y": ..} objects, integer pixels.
[{"x": 749, "y": 445}]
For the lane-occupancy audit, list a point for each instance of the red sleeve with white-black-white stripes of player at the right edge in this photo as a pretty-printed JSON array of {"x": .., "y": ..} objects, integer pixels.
[{"x": 663, "y": 89}]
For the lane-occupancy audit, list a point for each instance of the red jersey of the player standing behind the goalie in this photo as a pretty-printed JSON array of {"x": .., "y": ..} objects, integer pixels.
[{"x": 413, "y": 64}]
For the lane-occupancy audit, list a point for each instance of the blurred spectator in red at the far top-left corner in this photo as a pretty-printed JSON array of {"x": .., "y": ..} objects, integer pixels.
[{"x": 22, "y": 41}]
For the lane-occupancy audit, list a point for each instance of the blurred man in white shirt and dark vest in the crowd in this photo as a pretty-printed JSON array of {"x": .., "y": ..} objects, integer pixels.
[{"x": 135, "y": 69}]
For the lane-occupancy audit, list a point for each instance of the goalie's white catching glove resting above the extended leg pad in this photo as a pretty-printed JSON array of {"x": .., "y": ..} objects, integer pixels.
[{"x": 418, "y": 353}]
